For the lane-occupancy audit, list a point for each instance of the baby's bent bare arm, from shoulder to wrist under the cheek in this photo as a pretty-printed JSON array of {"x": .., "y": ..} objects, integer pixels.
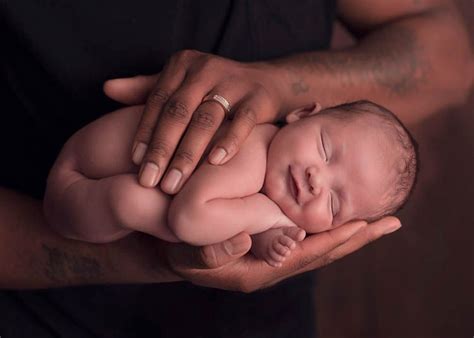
[{"x": 218, "y": 202}]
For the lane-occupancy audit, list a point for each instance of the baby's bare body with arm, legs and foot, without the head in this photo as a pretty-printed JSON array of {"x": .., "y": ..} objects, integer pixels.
[{"x": 94, "y": 195}]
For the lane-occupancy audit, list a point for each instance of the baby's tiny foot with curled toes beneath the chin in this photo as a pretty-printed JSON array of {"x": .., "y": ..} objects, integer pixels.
[{"x": 276, "y": 244}]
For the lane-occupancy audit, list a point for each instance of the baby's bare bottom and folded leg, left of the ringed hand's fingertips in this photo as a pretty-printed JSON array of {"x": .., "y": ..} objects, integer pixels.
[{"x": 92, "y": 192}]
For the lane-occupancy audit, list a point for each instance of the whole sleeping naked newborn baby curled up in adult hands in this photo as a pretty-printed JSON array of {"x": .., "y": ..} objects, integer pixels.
[{"x": 323, "y": 169}]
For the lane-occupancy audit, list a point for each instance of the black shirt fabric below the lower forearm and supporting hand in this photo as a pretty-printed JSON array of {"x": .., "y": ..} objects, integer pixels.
[{"x": 166, "y": 310}]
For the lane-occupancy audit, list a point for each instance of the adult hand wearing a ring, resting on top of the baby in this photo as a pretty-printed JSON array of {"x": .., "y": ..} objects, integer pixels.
[{"x": 175, "y": 113}]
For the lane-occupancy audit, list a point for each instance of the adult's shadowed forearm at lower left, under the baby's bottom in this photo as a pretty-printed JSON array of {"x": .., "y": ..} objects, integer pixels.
[{"x": 33, "y": 256}]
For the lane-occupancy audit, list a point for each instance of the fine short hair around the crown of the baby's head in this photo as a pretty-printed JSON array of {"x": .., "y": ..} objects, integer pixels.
[{"x": 405, "y": 144}]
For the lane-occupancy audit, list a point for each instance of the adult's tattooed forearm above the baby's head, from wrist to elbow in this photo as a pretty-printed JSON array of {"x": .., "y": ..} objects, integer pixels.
[{"x": 414, "y": 66}]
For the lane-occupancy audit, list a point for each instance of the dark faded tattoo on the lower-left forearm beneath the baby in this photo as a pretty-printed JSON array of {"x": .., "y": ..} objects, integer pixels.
[{"x": 62, "y": 267}]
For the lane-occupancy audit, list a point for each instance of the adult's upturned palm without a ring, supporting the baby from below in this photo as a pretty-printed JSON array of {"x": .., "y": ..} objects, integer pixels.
[{"x": 225, "y": 266}]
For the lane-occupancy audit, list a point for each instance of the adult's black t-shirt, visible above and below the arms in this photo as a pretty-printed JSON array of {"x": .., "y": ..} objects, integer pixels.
[{"x": 56, "y": 55}]
